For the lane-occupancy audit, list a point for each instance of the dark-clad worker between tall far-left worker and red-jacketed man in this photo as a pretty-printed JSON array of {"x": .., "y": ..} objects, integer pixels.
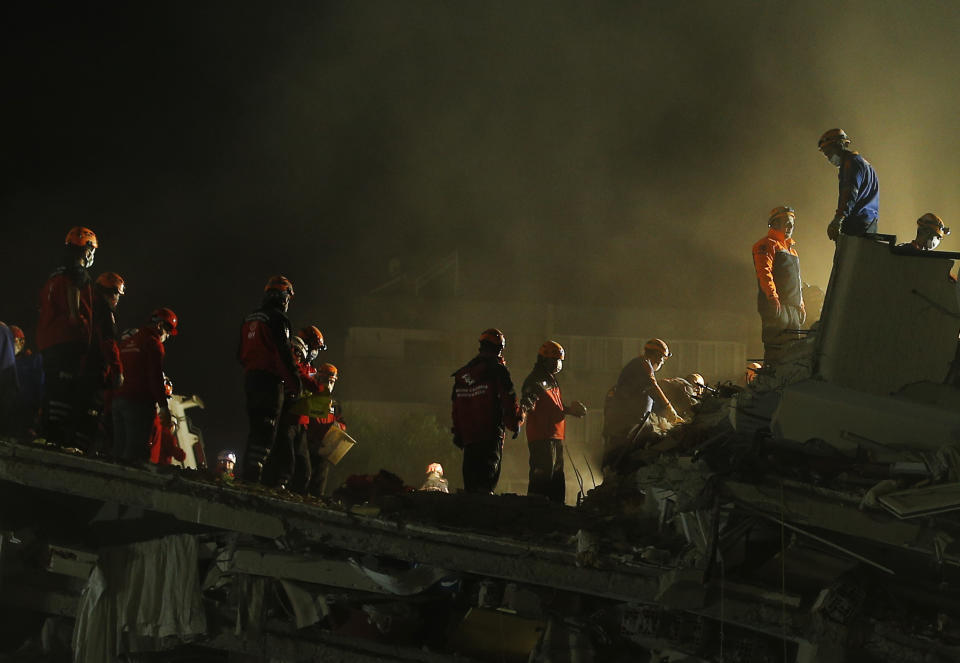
[{"x": 102, "y": 370}]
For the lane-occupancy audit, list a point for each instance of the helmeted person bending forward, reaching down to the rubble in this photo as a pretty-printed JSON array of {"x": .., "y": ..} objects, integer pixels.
[{"x": 630, "y": 401}]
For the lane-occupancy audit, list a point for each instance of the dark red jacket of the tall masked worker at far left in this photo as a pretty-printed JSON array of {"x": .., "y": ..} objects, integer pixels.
[{"x": 58, "y": 322}]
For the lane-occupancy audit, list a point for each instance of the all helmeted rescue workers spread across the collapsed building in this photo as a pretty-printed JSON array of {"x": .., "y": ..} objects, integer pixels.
[{"x": 93, "y": 390}]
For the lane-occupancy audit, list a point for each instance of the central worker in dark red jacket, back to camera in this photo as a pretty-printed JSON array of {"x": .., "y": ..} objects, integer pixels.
[{"x": 485, "y": 406}]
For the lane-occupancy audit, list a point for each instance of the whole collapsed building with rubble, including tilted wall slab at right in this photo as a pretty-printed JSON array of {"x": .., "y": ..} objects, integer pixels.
[{"x": 811, "y": 516}]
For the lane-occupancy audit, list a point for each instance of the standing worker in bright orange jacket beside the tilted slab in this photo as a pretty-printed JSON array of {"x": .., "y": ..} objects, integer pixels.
[{"x": 779, "y": 288}]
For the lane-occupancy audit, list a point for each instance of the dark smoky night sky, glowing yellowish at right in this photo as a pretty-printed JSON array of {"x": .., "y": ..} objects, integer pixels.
[{"x": 625, "y": 152}]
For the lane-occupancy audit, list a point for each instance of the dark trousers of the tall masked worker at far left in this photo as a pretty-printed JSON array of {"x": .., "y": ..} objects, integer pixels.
[{"x": 61, "y": 365}]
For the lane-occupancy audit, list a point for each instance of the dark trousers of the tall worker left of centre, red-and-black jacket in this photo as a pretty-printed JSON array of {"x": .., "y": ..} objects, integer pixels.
[{"x": 264, "y": 403}]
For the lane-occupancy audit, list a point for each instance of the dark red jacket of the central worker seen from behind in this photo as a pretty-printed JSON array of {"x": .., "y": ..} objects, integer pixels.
[{"x": 484, "y": 402}]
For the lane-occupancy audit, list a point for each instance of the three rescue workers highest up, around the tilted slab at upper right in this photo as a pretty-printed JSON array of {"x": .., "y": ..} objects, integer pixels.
[{"x": 780, "y": 288}]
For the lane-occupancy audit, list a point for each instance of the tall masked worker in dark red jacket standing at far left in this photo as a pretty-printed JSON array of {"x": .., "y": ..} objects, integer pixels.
[{"x": 64, "y": 333}]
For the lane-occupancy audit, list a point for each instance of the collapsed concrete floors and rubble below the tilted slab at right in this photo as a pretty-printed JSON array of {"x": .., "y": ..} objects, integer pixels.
[{"x": 704, "y": 550}]
